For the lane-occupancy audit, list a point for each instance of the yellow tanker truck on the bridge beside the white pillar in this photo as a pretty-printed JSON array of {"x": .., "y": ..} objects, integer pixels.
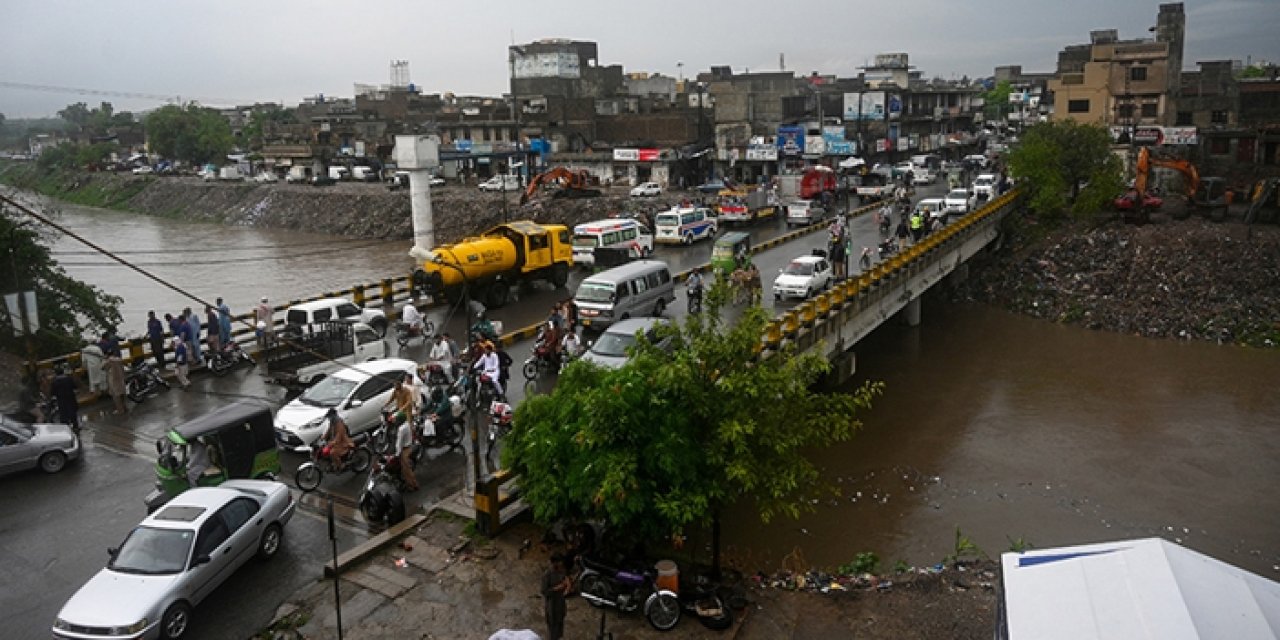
[{"x": 490, "y": 264}]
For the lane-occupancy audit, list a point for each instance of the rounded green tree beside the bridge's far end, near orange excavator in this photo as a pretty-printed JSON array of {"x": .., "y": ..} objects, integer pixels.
[{"x": 1064, "y": 164}]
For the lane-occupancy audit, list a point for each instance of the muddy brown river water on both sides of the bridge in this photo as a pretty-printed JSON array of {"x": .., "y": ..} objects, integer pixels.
[{"x": 1004, "y": 427}]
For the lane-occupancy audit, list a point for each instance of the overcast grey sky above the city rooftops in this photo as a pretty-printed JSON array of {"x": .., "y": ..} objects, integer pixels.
[{"x": 285, "y": 51}]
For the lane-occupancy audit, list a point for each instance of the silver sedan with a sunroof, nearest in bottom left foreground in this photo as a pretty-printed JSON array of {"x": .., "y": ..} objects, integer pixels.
[{"x": 177, "y": 557}]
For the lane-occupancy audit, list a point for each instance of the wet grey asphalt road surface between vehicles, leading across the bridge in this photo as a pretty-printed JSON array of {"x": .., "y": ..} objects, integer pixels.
[{"x": 57, "y": 529}]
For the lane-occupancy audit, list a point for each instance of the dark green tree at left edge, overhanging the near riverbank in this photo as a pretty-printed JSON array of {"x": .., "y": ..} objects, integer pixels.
[{"x": 70, "y": 309}]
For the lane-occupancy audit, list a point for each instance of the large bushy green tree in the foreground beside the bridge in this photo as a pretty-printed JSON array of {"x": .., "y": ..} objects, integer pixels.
[{"x": 668, "y": 442}]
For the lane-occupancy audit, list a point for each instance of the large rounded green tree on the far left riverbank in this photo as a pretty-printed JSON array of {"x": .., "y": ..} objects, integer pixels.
[{"x": 194, "y": 134}]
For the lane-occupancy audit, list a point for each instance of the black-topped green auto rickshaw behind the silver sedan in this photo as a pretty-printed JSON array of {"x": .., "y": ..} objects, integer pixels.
[{"x": 237, "y": 442}]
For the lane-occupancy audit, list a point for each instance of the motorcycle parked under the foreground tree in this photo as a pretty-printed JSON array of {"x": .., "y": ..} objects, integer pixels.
[{"x": 604, "y": 586}]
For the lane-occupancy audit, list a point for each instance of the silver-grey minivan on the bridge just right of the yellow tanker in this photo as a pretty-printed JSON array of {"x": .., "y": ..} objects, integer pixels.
[{"x": 636, "y": 290}]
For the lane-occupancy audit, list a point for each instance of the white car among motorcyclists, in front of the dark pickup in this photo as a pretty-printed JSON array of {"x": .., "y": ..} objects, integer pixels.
[{"x": 358, "y": 394}]
